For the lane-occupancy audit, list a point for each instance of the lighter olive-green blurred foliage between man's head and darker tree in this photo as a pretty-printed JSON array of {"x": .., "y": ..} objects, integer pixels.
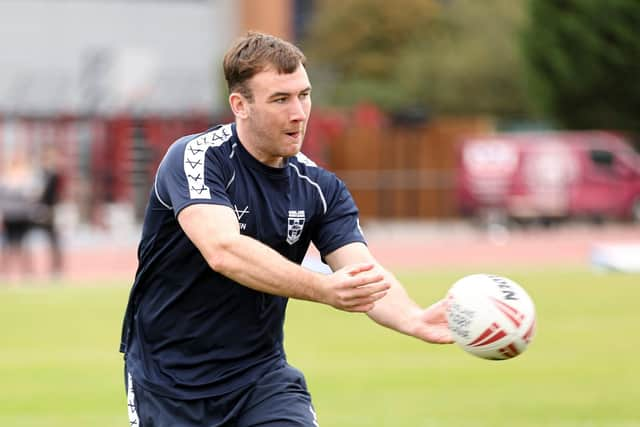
[{"x": 455, "y": 56}]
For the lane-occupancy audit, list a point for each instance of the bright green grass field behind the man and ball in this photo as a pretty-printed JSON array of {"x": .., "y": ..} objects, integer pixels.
[{"x": 59, "y": 364}]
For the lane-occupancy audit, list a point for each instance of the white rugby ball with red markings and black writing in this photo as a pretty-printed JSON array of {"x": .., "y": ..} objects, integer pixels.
[{"x": 490, "y": 316}]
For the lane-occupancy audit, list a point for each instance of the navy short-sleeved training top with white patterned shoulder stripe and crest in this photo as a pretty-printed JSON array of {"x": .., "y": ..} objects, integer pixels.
[{"x": 190, "y": 332}]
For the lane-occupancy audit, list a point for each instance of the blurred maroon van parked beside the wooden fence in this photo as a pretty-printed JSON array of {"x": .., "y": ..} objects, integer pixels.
[{"x": 549, "y": 175}]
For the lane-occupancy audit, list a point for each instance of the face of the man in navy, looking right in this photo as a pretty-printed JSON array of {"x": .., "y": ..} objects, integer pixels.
[{"x": 278, "y": 114}]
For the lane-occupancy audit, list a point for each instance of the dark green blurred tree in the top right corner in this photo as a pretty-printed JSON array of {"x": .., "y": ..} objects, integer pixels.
[{"x": 583, "y": 62}]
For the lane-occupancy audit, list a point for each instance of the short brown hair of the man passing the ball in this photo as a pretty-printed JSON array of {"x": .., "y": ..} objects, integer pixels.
[{"x": 254, "y": 53}]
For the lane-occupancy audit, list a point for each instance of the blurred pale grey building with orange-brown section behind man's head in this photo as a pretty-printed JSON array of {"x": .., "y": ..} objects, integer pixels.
[{"x": 108, "y": 57}]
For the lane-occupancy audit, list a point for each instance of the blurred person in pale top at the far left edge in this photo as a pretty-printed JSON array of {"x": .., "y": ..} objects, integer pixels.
[{"x": 20, "y": 189}]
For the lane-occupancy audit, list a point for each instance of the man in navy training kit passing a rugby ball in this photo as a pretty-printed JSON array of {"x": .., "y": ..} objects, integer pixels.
[{"x": 230, "y": 217}]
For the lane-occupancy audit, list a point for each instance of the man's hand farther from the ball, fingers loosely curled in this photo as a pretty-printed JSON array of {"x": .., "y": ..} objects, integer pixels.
[{"x": 355, "y": 288}]
